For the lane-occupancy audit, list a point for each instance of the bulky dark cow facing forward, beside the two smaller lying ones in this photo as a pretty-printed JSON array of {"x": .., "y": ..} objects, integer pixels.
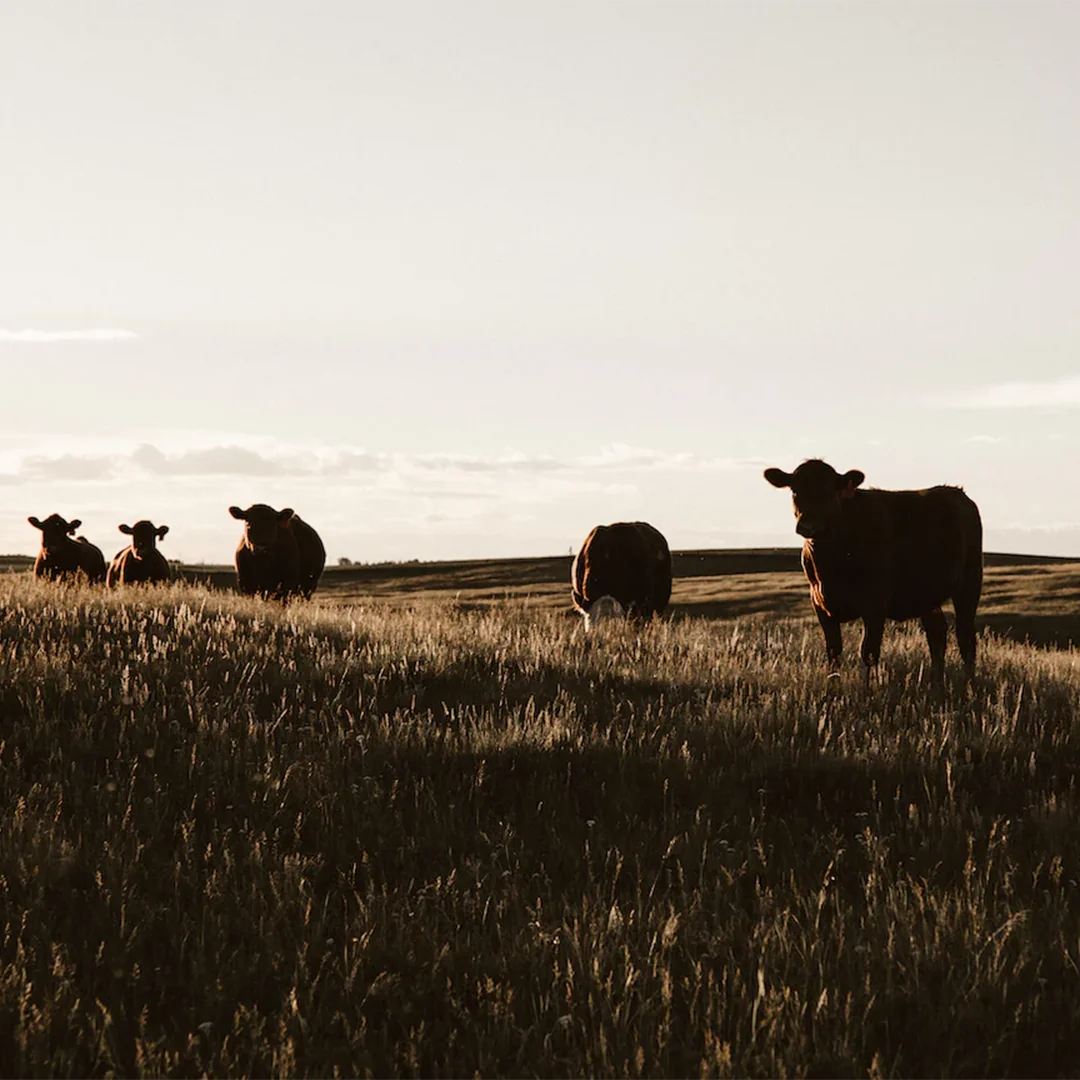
[{"x": 280, "y": 556}]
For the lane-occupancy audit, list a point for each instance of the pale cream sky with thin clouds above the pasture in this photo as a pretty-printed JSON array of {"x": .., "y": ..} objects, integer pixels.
[{"x": 464, "y": 280}]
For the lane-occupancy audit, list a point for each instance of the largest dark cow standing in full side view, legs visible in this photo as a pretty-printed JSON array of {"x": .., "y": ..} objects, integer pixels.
[{"x": 874, "y": 555}]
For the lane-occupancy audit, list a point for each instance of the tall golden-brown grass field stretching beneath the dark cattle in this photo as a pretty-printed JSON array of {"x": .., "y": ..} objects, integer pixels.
[{"x": 423, "y": 831}]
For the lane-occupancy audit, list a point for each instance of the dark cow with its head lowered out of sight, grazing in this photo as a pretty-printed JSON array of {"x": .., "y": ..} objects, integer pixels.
[{"x": 624, "y": 571}]
